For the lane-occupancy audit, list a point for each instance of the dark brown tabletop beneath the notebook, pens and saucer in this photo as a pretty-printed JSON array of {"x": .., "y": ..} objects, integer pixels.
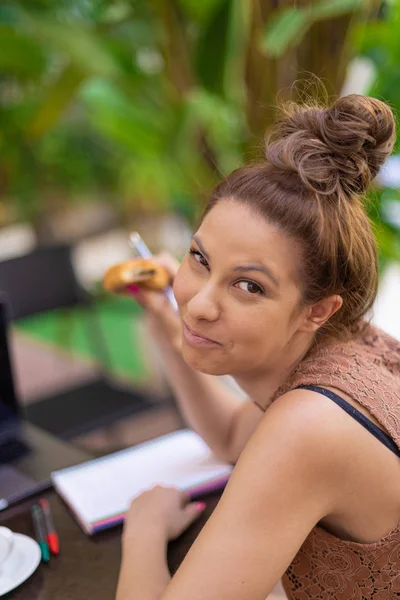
[{"x": 87, "y": 567}]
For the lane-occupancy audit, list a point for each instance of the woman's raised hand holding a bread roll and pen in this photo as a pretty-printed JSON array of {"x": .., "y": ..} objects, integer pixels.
[{"x": 162, "y": 319}]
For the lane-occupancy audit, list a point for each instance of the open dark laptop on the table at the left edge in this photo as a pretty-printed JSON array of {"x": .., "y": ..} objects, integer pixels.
[{"x": 28, "y": 454}]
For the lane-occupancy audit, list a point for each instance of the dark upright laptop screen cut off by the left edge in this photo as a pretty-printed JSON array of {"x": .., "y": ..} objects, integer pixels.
[{"x": 9, "y": 412}]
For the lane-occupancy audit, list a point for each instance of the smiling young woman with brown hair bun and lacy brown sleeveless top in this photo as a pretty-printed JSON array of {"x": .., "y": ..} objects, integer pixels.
[{"x": 274, "y": 291}]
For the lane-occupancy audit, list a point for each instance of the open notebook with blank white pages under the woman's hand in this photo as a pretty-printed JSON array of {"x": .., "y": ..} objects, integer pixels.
[{"x": 99, "y": 491}]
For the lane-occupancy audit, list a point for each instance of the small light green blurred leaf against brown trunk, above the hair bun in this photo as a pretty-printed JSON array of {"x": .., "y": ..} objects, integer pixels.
[{"x": 285, "y": 30}]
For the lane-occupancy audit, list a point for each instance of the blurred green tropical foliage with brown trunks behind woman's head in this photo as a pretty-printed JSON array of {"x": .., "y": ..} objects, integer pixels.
[{"x": 144, "y": 104}]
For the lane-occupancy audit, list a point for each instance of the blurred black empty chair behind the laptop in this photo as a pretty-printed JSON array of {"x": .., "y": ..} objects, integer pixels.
[{"x": 44, "y": 280}]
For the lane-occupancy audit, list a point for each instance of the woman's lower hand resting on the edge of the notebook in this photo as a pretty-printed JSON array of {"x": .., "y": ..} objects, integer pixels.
[{"x": 164, "y": 510}]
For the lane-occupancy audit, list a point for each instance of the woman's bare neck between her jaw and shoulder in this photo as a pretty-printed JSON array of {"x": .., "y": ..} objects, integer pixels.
[{"x": 261, "y": 385}]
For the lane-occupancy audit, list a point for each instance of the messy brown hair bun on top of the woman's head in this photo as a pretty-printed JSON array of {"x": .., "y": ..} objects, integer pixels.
[{"x": 334, "y": 150}]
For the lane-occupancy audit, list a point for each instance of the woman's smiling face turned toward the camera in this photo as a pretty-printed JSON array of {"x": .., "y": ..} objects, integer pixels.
[{"x": 236, "y": 293}]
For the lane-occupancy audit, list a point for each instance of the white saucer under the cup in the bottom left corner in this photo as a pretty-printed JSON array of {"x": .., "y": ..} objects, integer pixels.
[{"x": 22, "y": 561}]
